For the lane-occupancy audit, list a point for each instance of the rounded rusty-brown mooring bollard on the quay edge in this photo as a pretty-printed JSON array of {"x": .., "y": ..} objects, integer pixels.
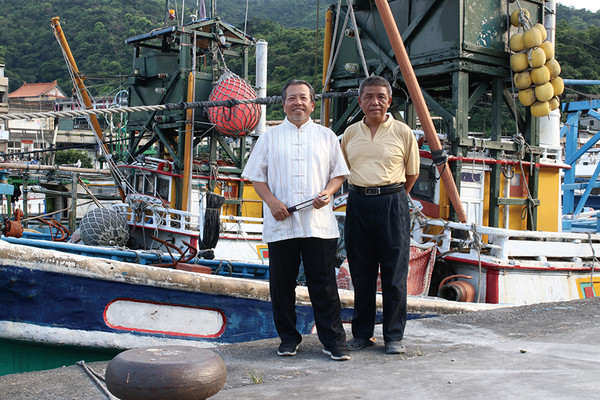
[{"x": 167, "y": 372}]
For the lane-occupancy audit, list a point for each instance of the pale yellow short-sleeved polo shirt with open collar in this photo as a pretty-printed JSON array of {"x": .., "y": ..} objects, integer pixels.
[{"x": 392, "y": 154}]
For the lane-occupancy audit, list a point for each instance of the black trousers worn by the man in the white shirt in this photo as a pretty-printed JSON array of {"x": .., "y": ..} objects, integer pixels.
[{"x": 318, "y": 260}]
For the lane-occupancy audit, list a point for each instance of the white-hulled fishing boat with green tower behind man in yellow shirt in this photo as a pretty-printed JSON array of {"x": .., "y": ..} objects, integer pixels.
[{"x": 490, "y": 200}]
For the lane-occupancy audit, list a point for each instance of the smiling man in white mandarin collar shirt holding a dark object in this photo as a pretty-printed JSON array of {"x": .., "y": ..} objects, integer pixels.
[{"x": 300, "y": 162}]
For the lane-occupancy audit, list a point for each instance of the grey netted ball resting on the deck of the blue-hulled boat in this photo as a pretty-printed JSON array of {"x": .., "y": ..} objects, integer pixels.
[{"x": 104, "y": 227}]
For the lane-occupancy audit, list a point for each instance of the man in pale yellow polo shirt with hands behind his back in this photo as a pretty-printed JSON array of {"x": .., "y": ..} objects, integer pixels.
[{"x": 383, "y": 158}]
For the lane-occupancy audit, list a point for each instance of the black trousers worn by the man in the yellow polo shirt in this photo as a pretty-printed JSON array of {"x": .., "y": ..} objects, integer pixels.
[{"x": 377, "y": 234}]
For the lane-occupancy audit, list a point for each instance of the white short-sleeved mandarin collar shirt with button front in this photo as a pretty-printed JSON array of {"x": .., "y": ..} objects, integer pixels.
[{"x": 297, "y": 163}]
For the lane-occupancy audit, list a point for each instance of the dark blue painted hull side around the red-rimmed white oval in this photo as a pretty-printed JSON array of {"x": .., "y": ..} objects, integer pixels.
[{"x": 77, "y": 302}]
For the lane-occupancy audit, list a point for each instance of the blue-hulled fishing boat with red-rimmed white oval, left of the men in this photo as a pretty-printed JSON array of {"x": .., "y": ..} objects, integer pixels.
[{"x": 170, "y": 269}]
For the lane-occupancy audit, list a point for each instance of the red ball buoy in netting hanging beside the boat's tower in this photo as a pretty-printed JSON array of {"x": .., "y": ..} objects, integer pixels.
[{"x": 237, "y": 120}]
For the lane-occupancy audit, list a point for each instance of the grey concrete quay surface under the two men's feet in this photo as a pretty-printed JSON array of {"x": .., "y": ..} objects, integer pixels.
[{"x": 542, "y": 351}]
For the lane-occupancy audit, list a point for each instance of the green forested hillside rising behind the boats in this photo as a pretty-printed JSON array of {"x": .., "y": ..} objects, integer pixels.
[{"x": 97, "y": 29}]
